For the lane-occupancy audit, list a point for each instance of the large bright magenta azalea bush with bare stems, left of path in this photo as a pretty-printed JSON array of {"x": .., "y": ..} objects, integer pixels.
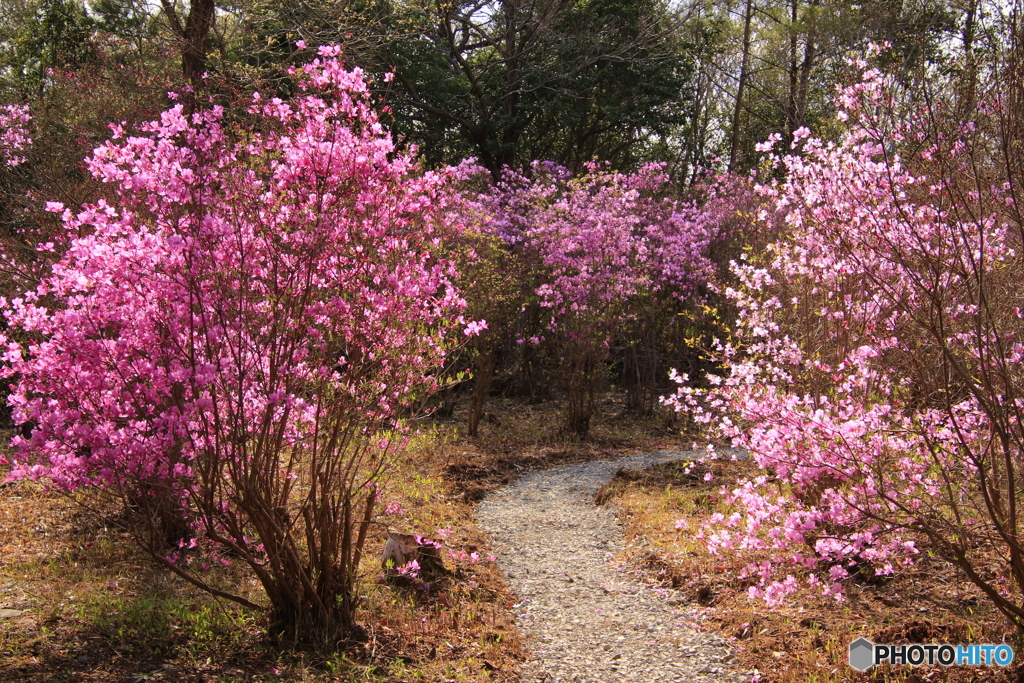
[{"x": 232, "y": 334}]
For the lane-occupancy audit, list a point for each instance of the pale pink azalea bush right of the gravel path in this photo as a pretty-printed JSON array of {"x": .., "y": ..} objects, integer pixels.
[{"x": 876, "y": 363}]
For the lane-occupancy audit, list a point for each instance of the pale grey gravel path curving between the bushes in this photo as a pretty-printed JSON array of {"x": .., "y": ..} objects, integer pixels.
[{"x": 587, "y": 621}]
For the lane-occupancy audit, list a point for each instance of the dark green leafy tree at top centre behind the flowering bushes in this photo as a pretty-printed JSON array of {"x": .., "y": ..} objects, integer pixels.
[{"x": 517, "y": 80}]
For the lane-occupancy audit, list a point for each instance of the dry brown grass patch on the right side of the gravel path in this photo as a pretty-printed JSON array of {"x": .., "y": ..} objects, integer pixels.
[{"x": 806, "y": 641}]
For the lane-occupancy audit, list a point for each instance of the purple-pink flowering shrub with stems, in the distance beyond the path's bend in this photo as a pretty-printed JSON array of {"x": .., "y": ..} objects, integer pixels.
[{"x": 598, "y": 249}]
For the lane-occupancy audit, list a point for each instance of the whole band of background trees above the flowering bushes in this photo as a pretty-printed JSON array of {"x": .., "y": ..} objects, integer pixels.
[{"x": 696, "y": 84}]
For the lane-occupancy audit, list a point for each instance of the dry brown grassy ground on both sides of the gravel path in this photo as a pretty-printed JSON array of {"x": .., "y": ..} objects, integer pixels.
[{"x": 97, "y": 610}]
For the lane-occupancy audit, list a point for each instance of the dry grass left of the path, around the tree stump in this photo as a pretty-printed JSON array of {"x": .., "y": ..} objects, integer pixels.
[{"x": 98, "y": 610}]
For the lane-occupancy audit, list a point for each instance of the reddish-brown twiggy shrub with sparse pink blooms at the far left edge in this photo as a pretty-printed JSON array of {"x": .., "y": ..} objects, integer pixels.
[{"x": 72, "y": 104}]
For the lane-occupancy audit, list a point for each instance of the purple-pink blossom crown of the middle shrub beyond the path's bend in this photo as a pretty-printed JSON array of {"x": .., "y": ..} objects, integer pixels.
[{"x": 604, "y": 238}]
